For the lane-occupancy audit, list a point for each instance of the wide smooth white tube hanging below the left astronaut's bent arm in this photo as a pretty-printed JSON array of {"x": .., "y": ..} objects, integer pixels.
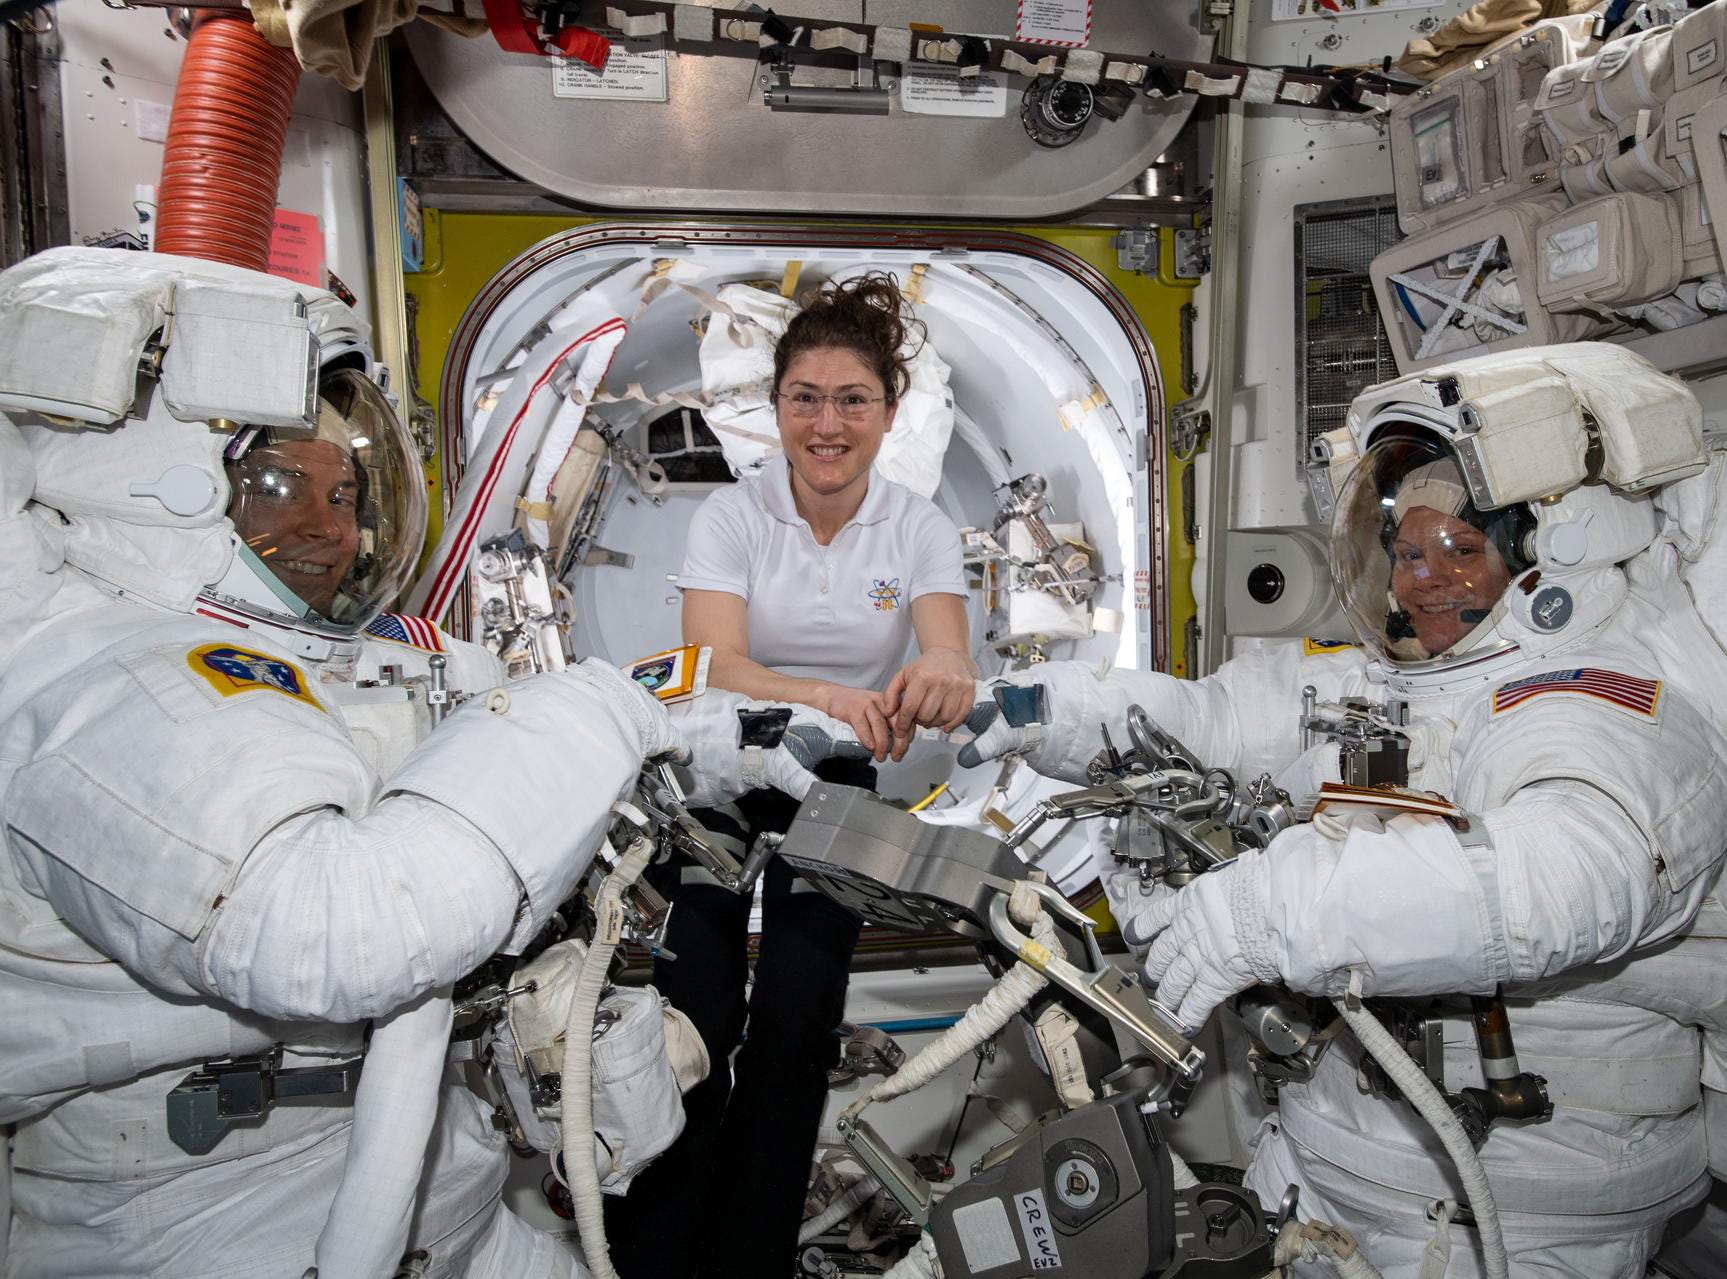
[{"x": 395, "y": 1114}]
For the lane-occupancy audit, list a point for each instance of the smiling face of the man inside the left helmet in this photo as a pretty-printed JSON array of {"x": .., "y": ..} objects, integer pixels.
[{"x": 298, "y": 508}]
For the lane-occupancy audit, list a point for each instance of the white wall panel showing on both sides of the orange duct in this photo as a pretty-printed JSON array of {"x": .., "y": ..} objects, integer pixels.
[{"x": 117, "y": 85}]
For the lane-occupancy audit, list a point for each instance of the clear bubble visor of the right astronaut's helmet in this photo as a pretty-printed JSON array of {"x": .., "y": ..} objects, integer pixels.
[{"x": 1420, "y": 572}]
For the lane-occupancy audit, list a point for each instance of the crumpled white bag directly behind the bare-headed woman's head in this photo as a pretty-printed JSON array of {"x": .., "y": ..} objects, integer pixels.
[{"x": 738, "y": 379}]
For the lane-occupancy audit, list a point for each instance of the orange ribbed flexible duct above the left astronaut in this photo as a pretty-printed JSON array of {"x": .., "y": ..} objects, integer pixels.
[{"x": 225, "y": 137}]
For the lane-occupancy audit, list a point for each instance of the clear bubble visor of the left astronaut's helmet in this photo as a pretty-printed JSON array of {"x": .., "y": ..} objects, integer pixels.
[{"x": 336, "y": 520}]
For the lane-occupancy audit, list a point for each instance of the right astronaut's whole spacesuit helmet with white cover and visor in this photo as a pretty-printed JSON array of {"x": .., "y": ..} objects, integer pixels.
[{"x": 1483, "y": 512}]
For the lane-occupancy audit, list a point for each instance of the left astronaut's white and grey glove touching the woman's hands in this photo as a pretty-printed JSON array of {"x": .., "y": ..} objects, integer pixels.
[{"x": 719, "y": 767}]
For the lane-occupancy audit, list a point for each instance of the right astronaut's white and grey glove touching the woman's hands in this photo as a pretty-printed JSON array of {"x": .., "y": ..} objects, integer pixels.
[{"x": 1061, "y": 748}]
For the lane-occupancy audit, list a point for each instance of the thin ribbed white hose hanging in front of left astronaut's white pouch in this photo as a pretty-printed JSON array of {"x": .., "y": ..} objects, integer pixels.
[{"x": 576, "y": 1109}]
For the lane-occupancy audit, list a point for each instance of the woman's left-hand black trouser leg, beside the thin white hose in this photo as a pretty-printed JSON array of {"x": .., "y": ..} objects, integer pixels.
[{"x": 709, "y": 933}]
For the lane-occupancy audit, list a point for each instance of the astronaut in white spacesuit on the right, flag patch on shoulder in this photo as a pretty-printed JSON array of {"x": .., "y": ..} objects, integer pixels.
[{"x": 1498, "y": 548}]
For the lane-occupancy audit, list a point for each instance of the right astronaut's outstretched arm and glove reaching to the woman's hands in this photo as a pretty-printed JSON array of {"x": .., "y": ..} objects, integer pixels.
[{"x": 1241, "y": 717}]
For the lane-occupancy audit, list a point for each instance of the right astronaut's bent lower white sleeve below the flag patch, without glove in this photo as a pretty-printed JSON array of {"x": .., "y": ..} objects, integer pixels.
[{"x": 1567, "y": 879}]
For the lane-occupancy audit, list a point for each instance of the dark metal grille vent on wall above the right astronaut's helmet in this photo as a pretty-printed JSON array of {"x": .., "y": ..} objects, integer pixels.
[{"x": 1341, "y": 346}]
